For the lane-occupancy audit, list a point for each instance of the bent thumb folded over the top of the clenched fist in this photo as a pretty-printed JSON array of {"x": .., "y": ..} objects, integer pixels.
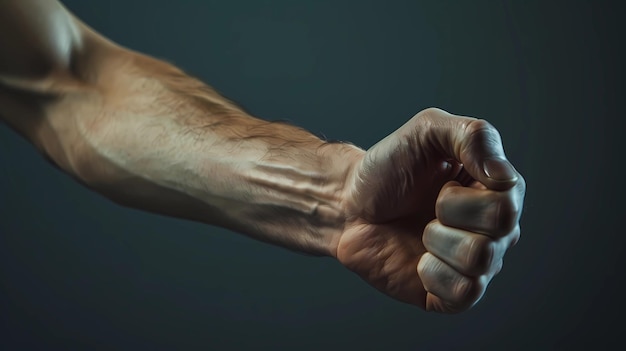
[{"x": 476, "y": 144}]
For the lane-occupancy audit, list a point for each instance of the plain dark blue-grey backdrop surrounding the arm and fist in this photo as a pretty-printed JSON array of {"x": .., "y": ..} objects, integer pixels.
[{"x": 79, "y": 272}]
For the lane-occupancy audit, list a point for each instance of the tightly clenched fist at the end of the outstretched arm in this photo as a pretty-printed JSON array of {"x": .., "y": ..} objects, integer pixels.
[{"x": 432, "y": 209}]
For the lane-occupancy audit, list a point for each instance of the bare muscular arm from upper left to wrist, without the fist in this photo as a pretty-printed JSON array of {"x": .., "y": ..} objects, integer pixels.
[{"x": 198, "y": 156}]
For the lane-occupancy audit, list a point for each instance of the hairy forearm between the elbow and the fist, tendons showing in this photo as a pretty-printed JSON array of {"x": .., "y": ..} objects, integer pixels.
[{"x": 173, "y": 146}]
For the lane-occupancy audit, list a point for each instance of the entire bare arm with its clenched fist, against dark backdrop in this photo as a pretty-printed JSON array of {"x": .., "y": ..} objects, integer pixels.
[{"x": 425, "y": 215}]
